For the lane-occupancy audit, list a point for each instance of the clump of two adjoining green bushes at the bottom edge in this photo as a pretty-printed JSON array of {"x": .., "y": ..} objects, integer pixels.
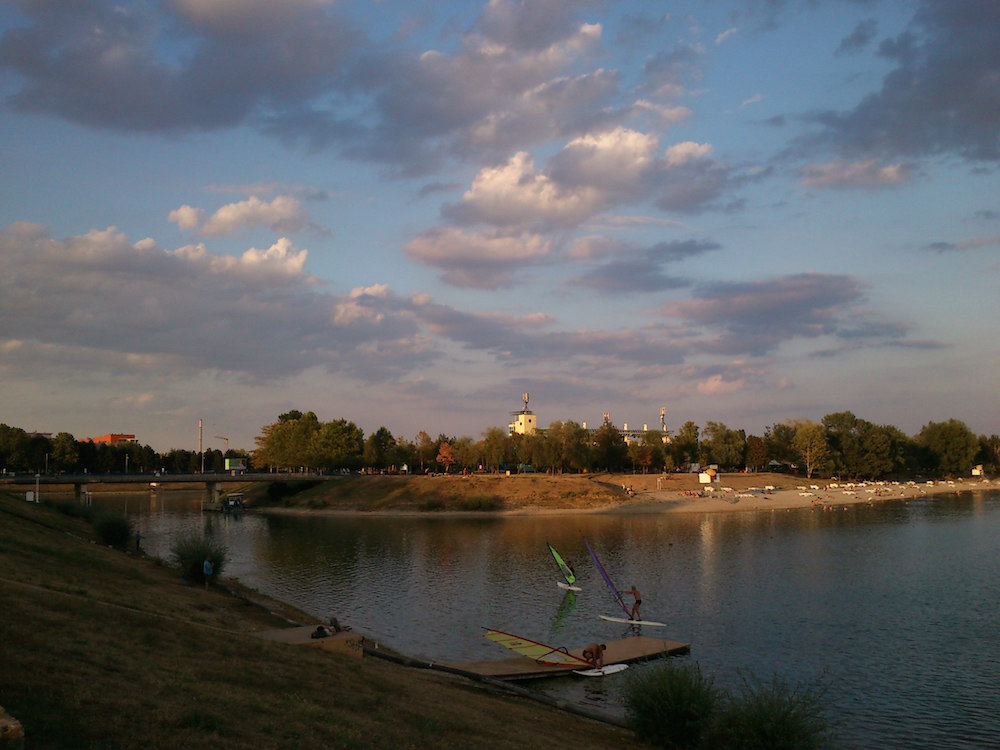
[{"x": 677, "y": 707}]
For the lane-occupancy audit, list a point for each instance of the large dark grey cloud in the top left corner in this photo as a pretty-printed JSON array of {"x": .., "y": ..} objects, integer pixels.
[{"x": 117, "y": 67}]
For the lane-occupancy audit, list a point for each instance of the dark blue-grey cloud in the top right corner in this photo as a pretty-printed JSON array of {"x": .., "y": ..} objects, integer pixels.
[{"x": 942, "y": 95}]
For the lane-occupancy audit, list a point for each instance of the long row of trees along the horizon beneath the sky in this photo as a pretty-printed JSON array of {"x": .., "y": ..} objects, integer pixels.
[{"x": 839, "y": 445}]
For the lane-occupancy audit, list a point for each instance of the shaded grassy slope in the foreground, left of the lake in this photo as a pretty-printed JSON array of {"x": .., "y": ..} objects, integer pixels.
[{"x": 104, "y": 649}]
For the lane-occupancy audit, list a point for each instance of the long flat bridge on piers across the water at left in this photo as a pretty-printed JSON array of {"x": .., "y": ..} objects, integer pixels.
[{"x": 214, "y": 483}]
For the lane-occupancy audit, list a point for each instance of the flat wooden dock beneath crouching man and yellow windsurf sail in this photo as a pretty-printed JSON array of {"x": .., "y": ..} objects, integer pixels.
[{"x": 625, "y": 651}]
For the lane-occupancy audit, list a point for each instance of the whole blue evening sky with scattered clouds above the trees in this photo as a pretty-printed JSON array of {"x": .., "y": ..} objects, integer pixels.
[{"x": 409, "y": 214}]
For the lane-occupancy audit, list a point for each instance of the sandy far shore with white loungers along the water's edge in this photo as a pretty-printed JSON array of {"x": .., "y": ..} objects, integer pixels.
[{"x": 828, "y": 496}]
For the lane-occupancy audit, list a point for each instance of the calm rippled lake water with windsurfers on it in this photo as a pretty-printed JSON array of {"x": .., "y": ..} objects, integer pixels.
[{"x": 893, "y": 608}]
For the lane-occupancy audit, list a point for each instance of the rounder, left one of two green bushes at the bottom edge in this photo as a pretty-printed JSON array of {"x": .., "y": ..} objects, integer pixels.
[{"x": 671, "y": 706}]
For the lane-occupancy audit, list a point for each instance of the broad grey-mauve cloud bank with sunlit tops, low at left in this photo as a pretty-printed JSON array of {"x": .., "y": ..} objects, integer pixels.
[{"x": 139, "y": 308}]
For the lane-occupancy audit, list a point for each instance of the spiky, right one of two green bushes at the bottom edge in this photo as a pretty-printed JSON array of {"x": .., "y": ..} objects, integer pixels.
[{"x": 774, "y": 717}]
